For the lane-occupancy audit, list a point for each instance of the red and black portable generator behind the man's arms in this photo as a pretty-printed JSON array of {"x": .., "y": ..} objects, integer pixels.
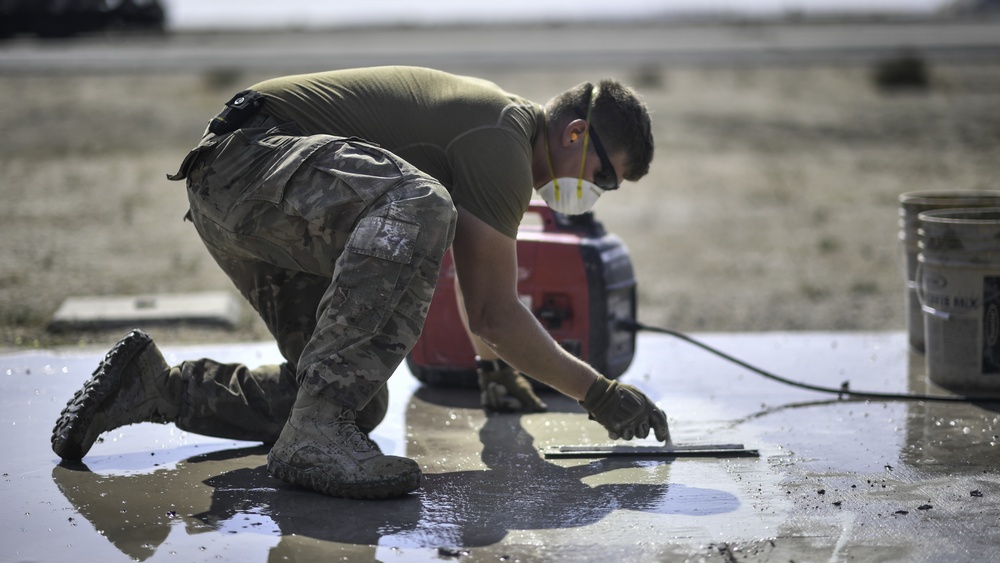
[{"x": 576, "y": 278}]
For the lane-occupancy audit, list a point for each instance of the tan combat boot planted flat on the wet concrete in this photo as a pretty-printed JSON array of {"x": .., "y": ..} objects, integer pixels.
[{"x": 322, "y": 448}]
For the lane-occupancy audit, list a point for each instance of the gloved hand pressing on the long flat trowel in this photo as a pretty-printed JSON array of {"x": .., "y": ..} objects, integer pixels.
[{"x": 624, "y": 411}]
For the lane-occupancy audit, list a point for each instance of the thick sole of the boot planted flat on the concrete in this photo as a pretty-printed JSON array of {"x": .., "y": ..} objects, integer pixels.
[{"x": 315, "y": 478}]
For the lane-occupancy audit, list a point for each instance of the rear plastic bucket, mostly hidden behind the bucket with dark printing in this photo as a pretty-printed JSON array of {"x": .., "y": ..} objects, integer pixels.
[{"x": 911, "y": 205}]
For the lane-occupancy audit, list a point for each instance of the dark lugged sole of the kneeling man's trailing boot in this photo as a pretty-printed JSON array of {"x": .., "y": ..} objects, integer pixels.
[{"x": 82, "y": 421}]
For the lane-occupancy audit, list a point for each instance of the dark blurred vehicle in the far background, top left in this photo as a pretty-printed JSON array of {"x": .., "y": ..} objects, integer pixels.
[{"x": 64, "y": 18}]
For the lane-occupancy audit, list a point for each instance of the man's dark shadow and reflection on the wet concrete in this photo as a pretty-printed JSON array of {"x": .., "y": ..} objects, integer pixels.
[{"x": 229, "y": 491}]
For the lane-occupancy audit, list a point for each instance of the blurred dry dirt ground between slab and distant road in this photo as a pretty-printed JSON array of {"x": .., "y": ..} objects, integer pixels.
[{"x": 771, "y": 204}]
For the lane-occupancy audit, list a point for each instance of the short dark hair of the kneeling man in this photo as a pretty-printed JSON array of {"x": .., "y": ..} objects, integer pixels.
[{"x": 619, "y": 116}]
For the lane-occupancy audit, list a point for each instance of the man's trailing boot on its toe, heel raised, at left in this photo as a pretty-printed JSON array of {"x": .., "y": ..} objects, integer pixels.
[{"x": 130, "y": 385}]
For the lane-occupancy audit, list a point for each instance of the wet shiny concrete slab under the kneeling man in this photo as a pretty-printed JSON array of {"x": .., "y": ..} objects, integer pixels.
[{"x": 835, "y": 480}]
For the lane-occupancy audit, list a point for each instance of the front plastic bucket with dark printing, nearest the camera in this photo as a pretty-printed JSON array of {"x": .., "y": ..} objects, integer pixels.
[{"x": 958, "y": 286}]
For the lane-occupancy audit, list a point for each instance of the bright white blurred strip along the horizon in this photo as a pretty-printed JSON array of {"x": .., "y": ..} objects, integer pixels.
[{"x": 194, "y": 15}]
